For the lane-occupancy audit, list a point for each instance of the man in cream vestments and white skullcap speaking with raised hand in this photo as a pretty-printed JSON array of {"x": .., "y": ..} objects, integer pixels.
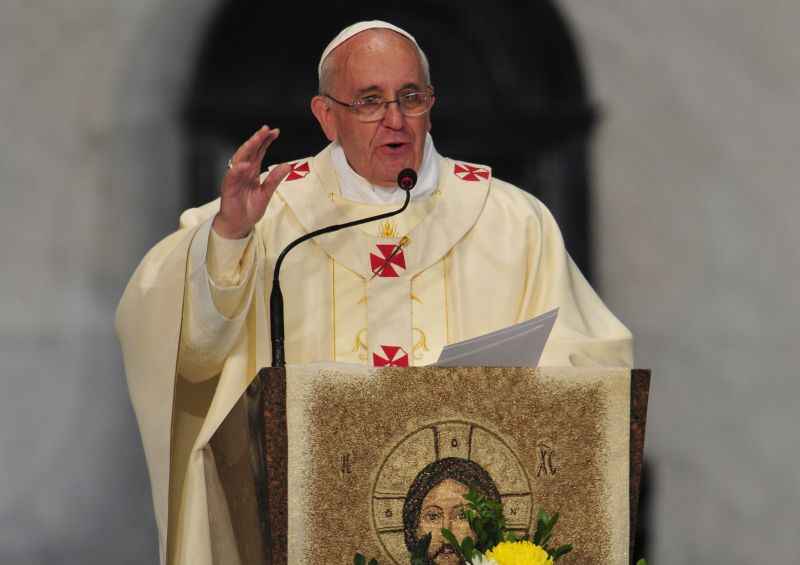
[{"x": 470, "y": 254}]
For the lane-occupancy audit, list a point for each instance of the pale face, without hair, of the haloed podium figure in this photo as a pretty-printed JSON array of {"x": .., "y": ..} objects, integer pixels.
[{"x": 443, "y": 507}]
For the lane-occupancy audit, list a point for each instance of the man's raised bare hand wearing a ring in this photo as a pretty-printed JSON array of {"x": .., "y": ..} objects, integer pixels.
[{"x": 243, "y": 197}]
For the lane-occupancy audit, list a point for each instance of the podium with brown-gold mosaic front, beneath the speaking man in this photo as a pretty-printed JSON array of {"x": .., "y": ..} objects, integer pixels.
[{"x": 318, "y": 462}]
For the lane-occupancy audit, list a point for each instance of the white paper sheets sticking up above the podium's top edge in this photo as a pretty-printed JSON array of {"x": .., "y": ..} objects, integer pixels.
[{"x": 520, "y": 345}]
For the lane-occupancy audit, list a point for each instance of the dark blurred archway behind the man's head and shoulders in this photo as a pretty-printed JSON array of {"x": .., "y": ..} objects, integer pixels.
[{"x": 510, "y": 93}]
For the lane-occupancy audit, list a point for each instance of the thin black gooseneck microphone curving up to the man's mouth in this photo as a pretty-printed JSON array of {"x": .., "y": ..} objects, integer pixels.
[{"x": 406, "y": 180}]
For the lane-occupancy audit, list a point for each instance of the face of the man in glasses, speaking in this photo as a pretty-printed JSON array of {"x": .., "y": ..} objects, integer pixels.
[{"x": 382, "y": 63}]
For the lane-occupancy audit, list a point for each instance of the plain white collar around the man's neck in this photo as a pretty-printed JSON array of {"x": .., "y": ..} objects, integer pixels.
[{"x": 357, "y": 188}]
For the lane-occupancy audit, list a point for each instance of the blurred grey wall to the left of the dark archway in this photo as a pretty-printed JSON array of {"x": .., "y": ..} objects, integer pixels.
[{"x": 90, "y": 164}]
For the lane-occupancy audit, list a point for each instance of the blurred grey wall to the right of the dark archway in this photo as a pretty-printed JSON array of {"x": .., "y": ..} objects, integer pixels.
[{"x": 698, "y": 251}]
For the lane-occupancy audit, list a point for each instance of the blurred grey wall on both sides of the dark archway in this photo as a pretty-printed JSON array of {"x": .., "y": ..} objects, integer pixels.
[{"x": 696, "y": 242}]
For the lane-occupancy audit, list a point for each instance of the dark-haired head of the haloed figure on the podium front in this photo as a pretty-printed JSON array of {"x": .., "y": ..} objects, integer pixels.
[{"x": 436, "y": 501}]
